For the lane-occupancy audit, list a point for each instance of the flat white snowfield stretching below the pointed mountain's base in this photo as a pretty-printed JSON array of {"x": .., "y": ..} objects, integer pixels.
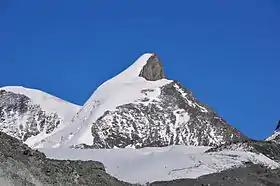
[{"x": 161, "y": 164}]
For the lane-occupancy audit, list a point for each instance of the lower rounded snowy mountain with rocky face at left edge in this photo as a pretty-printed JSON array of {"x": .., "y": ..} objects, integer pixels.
[{"x": 31, "y": 115}]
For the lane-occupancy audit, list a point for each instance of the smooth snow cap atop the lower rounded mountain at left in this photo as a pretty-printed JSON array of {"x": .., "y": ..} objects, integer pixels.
[{"x": 46, "y": 101}]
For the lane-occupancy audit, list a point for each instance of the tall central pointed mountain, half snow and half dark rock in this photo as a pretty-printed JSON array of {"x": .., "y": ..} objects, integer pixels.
[{"x": 141, "y": 108}]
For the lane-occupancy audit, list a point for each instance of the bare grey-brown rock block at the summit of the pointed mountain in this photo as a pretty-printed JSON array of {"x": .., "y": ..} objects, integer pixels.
[{"x": 153, "y": 69}]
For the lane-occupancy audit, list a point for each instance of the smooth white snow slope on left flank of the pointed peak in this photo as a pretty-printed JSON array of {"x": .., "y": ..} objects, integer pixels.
[{"x": 124, "y": 88}]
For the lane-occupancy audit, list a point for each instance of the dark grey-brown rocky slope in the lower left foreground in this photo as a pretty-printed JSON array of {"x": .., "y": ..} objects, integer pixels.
[{"x": 20, "y": 165}]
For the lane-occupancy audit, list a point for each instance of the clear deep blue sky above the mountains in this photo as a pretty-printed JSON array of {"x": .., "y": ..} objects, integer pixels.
[{"x": 226, "y": 52}]
